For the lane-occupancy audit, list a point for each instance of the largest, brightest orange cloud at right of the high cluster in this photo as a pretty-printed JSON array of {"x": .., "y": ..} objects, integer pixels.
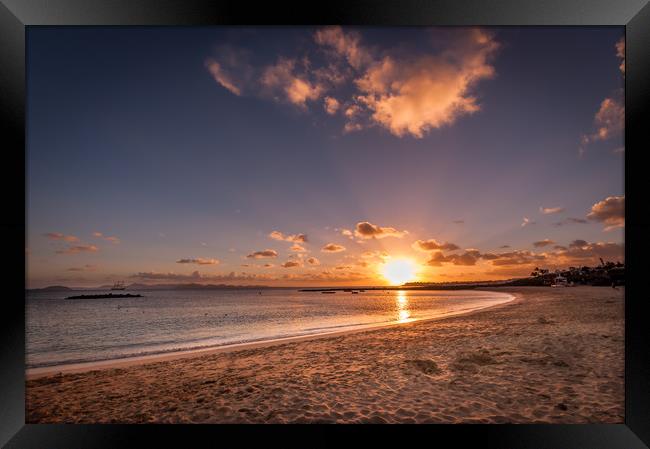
[{"x": 412, "y": 95}]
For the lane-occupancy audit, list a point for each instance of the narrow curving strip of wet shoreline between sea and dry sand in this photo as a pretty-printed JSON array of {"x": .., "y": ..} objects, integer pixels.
[{"x": 124, "y": 362}]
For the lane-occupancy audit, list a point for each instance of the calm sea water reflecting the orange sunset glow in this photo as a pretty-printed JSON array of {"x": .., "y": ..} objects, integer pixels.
[{"x": 63, "y": 331}]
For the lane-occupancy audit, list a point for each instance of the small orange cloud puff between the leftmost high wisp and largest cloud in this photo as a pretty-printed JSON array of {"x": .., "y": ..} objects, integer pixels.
[{"x": 283, "y": 81}]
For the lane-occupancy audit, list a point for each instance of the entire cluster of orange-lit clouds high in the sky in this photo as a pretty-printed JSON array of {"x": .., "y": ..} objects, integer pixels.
[{"x": 405, "y": 92}]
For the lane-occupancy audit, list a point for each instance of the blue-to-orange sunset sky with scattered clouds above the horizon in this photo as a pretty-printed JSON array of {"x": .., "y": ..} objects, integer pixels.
[{"x": 321, "y": 155}]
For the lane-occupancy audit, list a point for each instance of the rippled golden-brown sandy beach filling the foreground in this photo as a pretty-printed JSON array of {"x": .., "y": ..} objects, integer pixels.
[{"x": 551, "y": 356}]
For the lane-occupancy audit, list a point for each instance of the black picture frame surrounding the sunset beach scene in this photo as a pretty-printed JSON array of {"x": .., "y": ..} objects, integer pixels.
[{"x": 16, "y": 15}]
